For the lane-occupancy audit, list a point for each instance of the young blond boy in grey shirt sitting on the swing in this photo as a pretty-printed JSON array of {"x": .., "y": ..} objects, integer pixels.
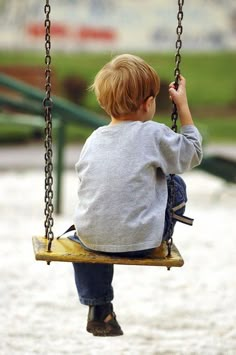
[{"x": 123, "y": 178}]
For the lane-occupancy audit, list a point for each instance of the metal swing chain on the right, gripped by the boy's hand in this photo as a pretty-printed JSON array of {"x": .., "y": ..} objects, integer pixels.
[{"x": 174, "y": 115}]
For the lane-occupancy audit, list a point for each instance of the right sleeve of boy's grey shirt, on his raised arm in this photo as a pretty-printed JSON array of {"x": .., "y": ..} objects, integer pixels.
[{"x": 180, "y": 152}]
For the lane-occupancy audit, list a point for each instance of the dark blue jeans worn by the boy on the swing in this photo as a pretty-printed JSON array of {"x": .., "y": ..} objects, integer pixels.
[{"x": 94, "y": 281}]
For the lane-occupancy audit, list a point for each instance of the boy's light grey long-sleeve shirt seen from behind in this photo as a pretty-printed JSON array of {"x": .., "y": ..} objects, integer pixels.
[{"x": 122, "y": 192}]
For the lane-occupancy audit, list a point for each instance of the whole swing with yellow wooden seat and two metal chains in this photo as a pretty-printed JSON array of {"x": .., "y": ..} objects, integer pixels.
[{"x": 49, "y": 249}]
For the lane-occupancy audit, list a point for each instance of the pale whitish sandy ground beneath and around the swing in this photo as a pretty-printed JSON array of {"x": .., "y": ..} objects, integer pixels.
[{"x": 190, "y": 310}]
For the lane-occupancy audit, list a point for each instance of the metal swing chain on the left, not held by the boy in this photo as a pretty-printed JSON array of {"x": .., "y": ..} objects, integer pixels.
[{"x": 47, "y": 105}]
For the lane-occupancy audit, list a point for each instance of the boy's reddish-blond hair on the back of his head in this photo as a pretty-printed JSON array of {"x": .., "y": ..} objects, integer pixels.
[{"x": 124, "y": 83}]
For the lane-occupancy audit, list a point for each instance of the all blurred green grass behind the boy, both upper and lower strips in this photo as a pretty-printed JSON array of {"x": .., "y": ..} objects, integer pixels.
[{"x": 211, "y": 86}]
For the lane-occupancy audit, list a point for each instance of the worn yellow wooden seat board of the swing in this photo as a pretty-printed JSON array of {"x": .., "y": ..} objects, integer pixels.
[{"x": 68, "y": 251}]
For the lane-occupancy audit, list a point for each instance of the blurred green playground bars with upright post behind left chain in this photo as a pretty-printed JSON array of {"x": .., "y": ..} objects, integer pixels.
[{"x": 30, "y": 103}]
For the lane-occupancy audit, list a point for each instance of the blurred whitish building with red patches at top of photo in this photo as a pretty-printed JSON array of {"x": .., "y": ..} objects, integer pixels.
[{"x": 93, "y": 25}]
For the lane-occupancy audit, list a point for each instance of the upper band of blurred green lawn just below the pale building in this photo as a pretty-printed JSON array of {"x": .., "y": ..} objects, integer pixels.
[{"x": 211, "y": 77}]
